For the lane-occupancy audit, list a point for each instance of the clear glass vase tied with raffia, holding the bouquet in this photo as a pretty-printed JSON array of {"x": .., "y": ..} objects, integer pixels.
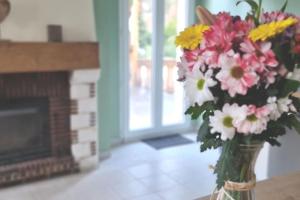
[{"x": 245, "y": 161}]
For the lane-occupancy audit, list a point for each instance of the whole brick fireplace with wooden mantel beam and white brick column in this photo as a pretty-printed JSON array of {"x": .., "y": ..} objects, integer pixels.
[{"x": 47, "y": 113}]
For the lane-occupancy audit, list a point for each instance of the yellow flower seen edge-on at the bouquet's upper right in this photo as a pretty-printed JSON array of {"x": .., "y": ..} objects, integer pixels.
[{"x": 265, "y": 31}]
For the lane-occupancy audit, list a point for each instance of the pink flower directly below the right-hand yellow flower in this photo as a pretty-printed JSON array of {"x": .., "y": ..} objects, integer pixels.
[{"x": 260, "y": 56}]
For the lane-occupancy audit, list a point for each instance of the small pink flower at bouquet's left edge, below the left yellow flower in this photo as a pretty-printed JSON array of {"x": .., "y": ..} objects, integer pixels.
[{"x": 194, "y": 59}]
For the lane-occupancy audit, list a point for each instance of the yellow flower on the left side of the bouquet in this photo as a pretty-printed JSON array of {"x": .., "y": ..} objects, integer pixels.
[{"x": 191, "y": 37}]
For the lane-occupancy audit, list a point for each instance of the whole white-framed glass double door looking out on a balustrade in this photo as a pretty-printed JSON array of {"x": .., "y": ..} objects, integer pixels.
[{"x": 152, "y": 99}]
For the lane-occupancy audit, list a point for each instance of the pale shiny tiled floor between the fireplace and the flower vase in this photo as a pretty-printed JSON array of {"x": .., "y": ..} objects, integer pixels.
[{"x": 134, "y": 172}]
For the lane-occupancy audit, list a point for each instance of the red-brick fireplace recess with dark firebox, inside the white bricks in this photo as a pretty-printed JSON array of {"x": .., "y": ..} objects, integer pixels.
[{"x": 35, "y": 135}]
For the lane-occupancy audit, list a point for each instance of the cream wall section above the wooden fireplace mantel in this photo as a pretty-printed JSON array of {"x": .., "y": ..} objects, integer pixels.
[{"x": 28, "y": 20}]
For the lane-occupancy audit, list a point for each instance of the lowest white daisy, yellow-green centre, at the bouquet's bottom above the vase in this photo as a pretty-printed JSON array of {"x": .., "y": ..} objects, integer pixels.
[{"x": 225, "y": 122}]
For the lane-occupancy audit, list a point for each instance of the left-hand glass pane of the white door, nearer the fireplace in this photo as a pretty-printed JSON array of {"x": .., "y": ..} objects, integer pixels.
[{"x": 140, "y": 28}]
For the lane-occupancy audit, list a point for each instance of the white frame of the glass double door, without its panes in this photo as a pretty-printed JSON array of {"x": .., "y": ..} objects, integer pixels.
[{"x": 157, "y": 79}]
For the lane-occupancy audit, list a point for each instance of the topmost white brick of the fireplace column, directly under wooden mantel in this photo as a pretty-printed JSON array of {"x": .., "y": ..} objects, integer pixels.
[{"x": 85, "y": 76}]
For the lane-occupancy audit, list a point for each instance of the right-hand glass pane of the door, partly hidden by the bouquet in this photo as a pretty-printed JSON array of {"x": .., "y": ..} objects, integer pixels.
[{"x": 172, "y": 90}]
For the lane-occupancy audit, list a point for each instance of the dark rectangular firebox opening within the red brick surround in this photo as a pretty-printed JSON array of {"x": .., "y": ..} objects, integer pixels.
[{"x": 24, "y": 130}]
